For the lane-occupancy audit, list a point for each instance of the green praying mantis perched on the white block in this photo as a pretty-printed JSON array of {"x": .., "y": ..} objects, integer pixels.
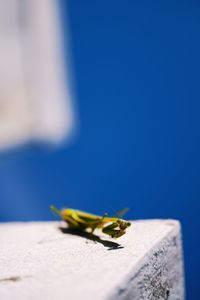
[{"x": 82, "y": 221}]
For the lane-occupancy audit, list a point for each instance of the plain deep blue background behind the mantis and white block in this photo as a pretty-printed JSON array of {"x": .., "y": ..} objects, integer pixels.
[{"x": 137, "y": 66}]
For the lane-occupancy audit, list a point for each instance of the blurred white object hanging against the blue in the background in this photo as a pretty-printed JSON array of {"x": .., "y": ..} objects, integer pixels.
[{"x": 35, "y": 96}]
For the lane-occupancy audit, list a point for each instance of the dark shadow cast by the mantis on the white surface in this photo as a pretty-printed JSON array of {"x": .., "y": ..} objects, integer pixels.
[{"x": 109, "y": 244}]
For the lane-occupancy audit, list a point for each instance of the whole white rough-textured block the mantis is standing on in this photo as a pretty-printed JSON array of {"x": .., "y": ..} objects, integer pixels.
[{"x": 39, "y": 261}]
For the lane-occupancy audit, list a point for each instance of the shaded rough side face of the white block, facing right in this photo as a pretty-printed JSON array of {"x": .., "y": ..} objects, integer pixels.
[{"x": 160, "y": 274}]
